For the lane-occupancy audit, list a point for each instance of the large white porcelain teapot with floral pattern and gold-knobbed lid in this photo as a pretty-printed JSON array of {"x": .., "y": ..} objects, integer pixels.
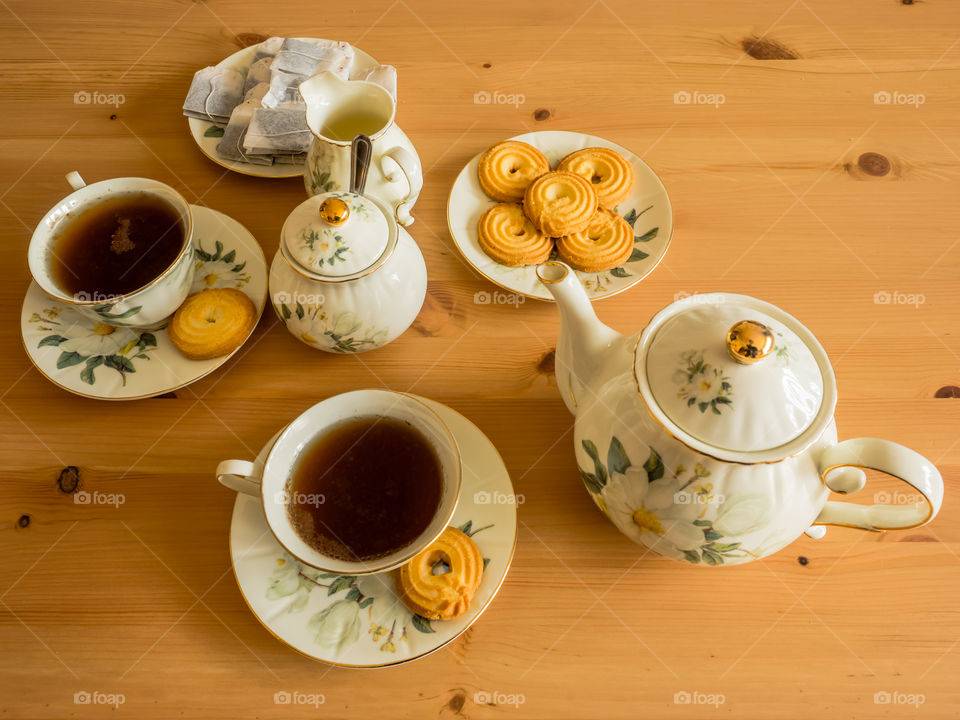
[{"x": 709, "y": 435}]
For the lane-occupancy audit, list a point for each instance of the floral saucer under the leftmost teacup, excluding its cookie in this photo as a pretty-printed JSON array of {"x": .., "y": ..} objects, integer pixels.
[{"x": 101, "y": 361}]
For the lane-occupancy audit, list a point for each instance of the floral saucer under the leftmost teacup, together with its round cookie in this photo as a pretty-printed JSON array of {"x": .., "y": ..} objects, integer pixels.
[{"x": 102, "y": 361}]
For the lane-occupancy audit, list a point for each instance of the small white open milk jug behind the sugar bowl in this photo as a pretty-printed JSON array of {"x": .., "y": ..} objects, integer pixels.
[{"x": 337, "y": 110}]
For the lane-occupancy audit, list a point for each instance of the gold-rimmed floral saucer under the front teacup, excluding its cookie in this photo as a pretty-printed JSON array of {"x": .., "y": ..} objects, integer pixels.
[{"x": 359, "y": 621}]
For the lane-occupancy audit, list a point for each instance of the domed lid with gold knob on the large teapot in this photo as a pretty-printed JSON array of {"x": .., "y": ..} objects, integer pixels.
[{"x": 736, "y": 375}]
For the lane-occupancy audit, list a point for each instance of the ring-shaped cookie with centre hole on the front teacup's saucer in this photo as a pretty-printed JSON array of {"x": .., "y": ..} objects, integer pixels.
[{"x": 444, "y": 596}]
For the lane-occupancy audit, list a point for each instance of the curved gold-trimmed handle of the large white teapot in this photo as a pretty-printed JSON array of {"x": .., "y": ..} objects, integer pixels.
[{"x": 890, "y": 458}]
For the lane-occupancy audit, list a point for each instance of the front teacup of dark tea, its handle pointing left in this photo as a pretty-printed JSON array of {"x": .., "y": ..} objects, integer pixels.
[{"x": 359, "y": 483}]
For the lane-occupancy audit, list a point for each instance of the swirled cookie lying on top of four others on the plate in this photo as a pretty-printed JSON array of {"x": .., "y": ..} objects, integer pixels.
[{"x": 560, "y": 203}]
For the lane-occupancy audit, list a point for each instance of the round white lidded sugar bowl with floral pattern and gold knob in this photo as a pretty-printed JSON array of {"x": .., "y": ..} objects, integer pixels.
[{"x": 347, "y": 278}]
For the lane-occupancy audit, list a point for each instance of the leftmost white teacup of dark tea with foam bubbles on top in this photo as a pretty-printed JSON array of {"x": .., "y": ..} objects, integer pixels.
[{"x": 119, "y": 251}]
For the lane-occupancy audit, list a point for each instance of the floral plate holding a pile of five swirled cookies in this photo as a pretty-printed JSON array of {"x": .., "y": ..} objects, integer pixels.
[{"x": 557, "y": 195}]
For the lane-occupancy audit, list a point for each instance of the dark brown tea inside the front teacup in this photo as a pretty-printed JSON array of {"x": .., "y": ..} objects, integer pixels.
[{"x": 364, "y": 489}]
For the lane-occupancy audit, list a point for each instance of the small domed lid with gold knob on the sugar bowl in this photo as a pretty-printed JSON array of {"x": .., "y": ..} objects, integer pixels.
[{"x": 337, "y": 234}]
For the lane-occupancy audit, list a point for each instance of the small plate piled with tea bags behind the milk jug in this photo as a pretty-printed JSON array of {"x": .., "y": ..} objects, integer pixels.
[{"x": 246, "y": 114}]
